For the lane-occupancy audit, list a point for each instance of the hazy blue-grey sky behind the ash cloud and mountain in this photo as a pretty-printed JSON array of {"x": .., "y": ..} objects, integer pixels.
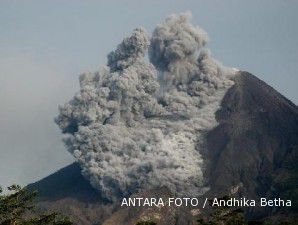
[{"x": 45, "y": 45}]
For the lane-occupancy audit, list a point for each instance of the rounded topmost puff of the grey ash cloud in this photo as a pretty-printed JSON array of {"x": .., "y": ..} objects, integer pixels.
[{"x": 176, "y": 40}]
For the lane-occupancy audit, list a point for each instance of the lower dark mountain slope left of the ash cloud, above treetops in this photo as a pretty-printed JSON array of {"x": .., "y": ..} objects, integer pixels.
[{"x": 68, "y": 192}]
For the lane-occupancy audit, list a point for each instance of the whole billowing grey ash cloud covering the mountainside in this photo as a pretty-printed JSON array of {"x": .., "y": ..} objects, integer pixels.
[{"x": 136, "y": 125}]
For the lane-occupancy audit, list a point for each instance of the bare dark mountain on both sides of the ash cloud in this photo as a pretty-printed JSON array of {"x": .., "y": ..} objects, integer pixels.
[{"x": 255, "y": 144}]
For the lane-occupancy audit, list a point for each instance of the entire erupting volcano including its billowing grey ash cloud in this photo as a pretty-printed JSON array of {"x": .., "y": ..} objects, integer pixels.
[{"x": 180, "y": 124}]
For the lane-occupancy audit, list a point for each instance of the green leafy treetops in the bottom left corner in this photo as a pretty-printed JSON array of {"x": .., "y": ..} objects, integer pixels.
[{"x": 18, "y": 208}]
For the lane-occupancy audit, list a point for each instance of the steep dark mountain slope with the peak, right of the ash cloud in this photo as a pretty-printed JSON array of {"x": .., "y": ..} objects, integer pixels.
[{"x": 255, "y": 142}]
